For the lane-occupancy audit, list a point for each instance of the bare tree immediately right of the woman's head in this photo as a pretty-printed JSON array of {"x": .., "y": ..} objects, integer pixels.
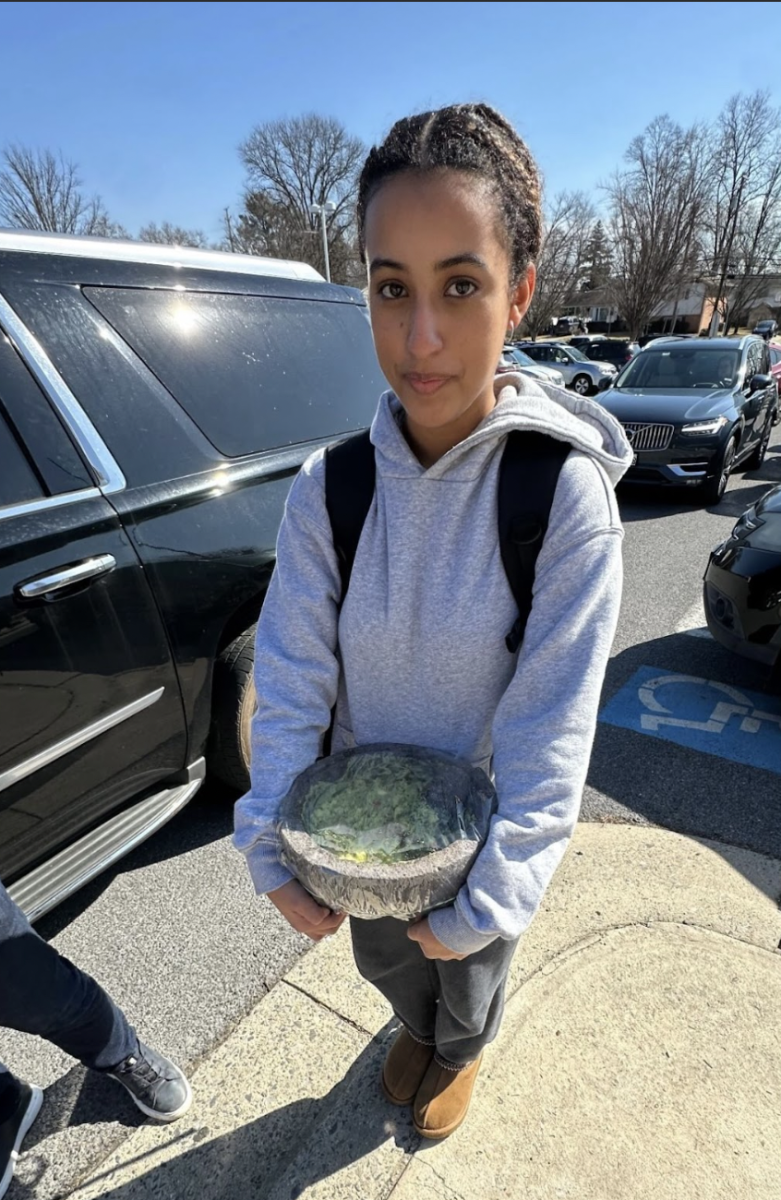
[{"x": 562, "y": 260}]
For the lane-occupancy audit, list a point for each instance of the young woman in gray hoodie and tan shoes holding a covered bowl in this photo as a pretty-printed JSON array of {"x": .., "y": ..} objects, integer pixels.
[{"x": 449, "y": 223}]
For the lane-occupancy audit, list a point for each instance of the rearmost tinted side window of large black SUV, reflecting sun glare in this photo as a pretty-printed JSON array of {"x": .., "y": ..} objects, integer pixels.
[{"x": 253, "y": 373}]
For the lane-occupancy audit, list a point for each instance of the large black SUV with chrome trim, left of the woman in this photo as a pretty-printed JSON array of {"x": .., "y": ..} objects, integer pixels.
[{"x": 155, "y": 405}]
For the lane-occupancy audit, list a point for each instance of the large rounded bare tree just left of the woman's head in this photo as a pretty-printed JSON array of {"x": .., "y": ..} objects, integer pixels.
[{"x": 293, "y": 165}]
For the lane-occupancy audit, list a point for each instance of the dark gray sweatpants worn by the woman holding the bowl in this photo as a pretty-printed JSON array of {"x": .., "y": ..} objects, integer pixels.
[{"x": 455, "y": 1005}]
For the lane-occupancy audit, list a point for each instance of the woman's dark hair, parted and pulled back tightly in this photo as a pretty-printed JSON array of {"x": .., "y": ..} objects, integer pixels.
[{"x": 473, "y": 139}]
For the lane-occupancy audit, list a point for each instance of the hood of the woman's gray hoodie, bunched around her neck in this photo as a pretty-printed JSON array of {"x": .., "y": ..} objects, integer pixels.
[{"x": 522, "y": 404}]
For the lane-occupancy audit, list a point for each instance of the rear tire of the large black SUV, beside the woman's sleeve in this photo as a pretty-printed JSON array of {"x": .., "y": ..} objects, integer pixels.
[{"x": 233, "y": 704}]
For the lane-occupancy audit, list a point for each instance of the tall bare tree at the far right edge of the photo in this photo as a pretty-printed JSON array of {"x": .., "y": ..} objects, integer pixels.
[{"x": 743, "y": 225}]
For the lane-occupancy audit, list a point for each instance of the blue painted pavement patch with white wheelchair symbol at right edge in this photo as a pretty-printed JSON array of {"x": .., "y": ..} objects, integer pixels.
[{"x": 702, "y": 715}]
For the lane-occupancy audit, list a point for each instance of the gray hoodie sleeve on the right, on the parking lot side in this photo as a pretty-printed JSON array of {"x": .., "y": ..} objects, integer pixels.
[{"x": 545, "y": 724}]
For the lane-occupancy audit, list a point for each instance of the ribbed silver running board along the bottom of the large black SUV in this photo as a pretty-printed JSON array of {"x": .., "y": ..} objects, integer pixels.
[{"x": 73, "y": 868}]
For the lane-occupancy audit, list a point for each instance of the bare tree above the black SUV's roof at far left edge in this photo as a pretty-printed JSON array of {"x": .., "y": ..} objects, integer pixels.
[{"x": 40, "y": 190}]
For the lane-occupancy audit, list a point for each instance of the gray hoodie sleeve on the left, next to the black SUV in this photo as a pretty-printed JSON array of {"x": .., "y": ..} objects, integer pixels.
[{"x": 296, "y": 673}]
